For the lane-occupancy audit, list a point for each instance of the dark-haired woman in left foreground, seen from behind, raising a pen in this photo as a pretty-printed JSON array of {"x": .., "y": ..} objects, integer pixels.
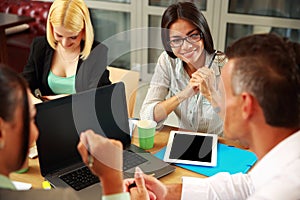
[{"x": 18, "y": 130}]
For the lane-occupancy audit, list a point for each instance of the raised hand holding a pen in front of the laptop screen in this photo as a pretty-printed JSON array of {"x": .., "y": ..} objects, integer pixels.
[{"x": 105, "y": 159}]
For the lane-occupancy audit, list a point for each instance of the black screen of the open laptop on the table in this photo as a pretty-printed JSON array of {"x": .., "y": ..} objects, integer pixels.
[{"x": 61, "y": 121}]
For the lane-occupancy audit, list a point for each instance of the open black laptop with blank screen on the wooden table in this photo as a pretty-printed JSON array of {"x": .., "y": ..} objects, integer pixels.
[{"x": 60, "y": 122}]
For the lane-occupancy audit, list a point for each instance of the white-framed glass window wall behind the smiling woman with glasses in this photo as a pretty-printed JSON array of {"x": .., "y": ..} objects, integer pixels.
[{"x": 126, "y": 23}]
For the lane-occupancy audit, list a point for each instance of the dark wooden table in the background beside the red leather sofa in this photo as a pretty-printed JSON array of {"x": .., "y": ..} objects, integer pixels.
[{"x": 7, "y": 21}]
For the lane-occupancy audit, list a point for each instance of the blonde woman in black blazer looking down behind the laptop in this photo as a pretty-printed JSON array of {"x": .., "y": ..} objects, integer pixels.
[{"x": 56, "y": 61}]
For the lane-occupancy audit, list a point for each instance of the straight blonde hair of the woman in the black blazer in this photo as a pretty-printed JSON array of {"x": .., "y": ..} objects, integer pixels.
[{"x": 74, "y": 16}]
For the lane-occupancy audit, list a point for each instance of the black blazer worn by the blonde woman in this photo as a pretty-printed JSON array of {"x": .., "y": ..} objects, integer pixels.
[{"x": 89, "y": 74}]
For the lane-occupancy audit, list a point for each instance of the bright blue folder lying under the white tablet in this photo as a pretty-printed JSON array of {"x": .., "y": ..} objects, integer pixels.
[{"x": 229, "y": 159}]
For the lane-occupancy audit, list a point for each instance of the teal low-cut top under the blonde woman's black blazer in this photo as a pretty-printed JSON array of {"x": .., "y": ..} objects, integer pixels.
[{"x": 61, "y": 85}]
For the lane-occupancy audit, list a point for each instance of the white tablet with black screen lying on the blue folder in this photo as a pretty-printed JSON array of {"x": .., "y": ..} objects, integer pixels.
[{"x": 192, "y": 148}]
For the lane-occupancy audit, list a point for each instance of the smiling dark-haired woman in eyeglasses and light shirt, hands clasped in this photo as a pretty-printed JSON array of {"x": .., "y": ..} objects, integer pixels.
[{"x": 186, "y": 72}]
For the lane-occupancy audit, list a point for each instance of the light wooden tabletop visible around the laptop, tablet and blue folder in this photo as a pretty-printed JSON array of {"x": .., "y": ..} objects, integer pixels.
[{"x": 34, "y": 177}]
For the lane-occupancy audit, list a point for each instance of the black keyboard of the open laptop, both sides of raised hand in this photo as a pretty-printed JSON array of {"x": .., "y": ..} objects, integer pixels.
[{"x": 83, "y": 177}]
